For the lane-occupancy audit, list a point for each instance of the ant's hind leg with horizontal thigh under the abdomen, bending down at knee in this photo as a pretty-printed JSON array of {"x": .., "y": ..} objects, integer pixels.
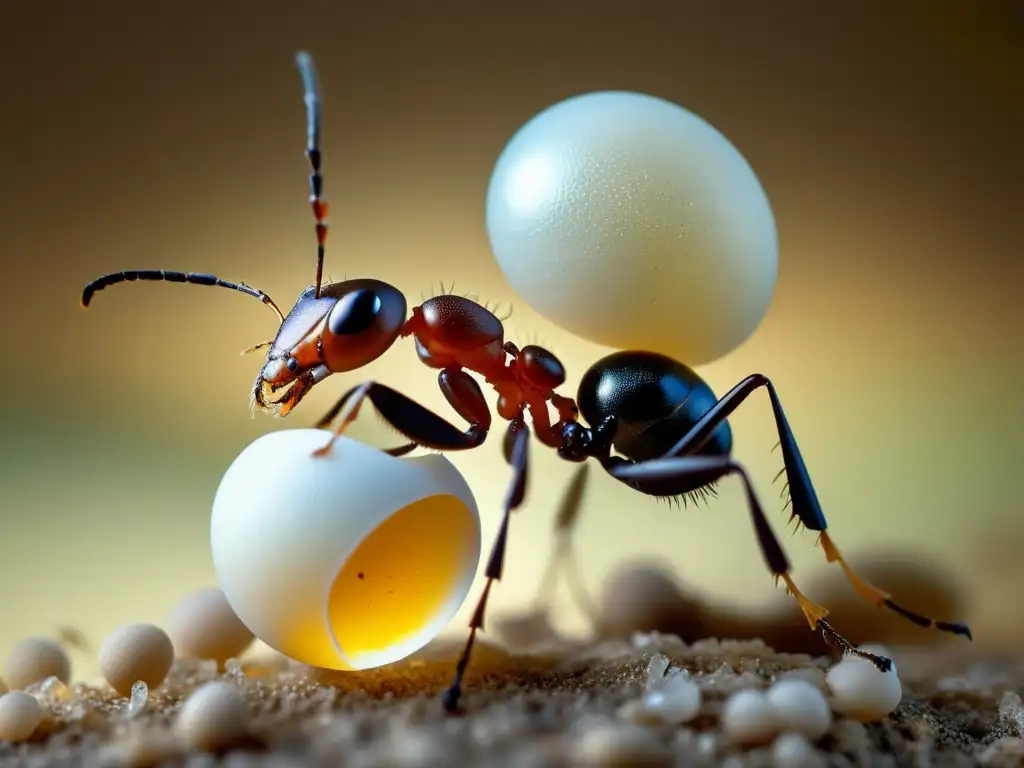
[{"x": 705, "y": 471}]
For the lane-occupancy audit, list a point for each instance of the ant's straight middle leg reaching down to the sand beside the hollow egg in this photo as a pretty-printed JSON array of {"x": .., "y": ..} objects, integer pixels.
[{"x": 518, "y": 457}]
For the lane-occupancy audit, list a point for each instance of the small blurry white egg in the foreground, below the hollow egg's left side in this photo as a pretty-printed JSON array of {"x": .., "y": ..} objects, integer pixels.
[{"x": 215, "y": 715}]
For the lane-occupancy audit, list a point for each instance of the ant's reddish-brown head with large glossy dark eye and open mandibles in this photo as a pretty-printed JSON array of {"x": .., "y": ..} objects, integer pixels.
[{"x": 351, "y": 325}]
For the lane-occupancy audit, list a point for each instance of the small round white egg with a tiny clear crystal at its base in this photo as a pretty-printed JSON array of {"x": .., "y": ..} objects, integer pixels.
[{"x": 137, "y": 653}]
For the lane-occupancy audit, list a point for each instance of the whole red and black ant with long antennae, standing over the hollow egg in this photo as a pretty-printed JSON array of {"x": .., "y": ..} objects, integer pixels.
[{"x": 655, "y": 424}]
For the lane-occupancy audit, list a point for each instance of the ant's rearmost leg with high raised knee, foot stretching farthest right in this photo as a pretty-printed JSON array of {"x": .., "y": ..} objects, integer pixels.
[{"x": 802, "y": 495}]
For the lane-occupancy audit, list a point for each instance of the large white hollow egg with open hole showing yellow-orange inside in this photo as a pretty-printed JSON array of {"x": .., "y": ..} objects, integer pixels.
[{"x": 347, "y": 562}]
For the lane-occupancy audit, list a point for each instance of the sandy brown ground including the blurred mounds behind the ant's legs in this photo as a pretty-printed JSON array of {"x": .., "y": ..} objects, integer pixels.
[{"x": 562, "y": 703}]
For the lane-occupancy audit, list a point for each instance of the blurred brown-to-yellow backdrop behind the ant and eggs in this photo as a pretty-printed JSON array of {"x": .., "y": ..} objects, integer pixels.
[{"x": 887, "y": 138}]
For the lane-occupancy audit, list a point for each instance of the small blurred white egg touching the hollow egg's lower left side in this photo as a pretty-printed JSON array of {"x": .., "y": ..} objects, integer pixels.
[{"x": 203, "y": 625}]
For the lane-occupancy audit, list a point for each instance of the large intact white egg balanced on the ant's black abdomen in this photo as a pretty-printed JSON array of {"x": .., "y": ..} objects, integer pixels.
[{"x": 636, "y": 225}]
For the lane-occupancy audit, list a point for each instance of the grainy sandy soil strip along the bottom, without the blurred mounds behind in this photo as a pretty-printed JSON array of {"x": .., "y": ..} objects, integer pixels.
[{"x": 564, "y": 706}]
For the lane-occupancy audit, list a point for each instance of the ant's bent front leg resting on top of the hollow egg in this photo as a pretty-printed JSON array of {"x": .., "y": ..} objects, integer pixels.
[{"x": 418, "y": 423}]
